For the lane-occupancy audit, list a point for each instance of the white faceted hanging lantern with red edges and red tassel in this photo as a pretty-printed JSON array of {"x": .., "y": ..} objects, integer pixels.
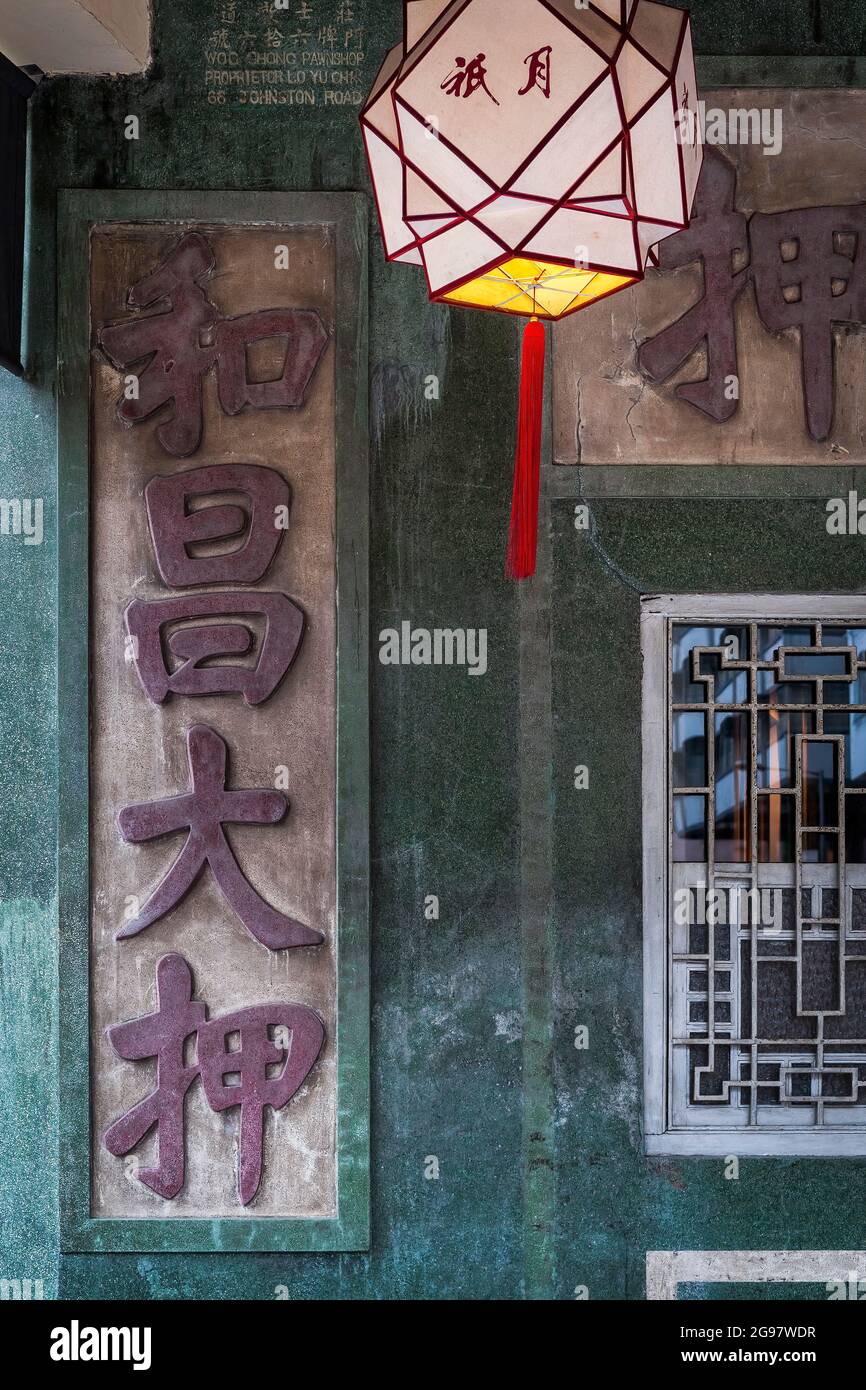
[{"x": 530, "y": 156}]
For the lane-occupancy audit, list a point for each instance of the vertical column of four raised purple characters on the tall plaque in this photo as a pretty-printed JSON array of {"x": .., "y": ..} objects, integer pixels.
[{"x": 201, "y": 643}]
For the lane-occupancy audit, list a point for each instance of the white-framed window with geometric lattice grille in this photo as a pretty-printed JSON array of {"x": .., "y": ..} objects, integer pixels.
[{"x": 755, "y": 875}]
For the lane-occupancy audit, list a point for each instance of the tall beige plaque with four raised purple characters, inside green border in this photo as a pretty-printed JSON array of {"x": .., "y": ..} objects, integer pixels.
[{"x": 213, "y": 722}]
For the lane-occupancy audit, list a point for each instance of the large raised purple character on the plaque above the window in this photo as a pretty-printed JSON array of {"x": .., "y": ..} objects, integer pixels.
[{"x": 808, "y": 270}]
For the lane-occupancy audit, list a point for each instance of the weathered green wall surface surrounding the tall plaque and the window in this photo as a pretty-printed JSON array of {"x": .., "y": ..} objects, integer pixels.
[{"x": 543, "y": 1184}]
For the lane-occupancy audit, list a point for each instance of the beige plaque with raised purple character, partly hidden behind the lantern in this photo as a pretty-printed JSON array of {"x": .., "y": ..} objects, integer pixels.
[{"x": 749, "y": 345}]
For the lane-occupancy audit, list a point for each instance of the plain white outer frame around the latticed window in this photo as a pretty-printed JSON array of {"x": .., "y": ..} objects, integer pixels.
[{"x": 660, "y": 1135}]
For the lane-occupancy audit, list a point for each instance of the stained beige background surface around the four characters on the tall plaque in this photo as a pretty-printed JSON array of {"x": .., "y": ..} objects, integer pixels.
[{"x": 138, "y": 750}]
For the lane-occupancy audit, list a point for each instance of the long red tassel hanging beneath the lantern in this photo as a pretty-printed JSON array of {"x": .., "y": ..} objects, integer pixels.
[{"x": 523, "y": 537}]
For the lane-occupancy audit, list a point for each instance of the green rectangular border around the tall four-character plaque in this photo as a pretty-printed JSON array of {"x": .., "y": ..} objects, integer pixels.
[{"x": 347, "y": 216}]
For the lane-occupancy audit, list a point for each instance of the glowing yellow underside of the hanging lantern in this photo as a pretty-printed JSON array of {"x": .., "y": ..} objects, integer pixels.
[{"x": 540, "y": 288}]
